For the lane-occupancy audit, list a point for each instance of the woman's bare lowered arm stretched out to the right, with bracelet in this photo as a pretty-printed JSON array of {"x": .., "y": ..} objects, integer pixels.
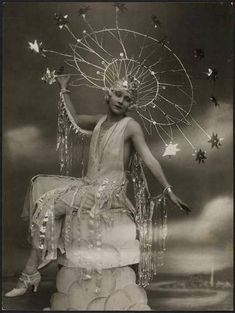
[{"x": 136, "y": 134}]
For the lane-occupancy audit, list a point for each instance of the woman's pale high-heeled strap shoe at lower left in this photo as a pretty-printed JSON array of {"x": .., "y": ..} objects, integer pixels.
[{"x": 27, "y": 280}]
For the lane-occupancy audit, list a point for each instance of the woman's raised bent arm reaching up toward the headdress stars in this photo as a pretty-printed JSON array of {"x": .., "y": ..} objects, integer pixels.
[{"x": 87, "y": 122}]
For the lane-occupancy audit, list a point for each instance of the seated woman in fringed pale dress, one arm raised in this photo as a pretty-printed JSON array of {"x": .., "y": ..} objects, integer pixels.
[{"x": 114, "y": 139}]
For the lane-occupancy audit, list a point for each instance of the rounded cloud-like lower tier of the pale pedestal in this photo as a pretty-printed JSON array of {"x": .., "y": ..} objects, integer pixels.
[{"x": 118, "y": 291}]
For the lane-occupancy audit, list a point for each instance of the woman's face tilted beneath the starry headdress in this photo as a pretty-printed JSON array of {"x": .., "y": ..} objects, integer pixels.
[{"x": 119, "y": 101}]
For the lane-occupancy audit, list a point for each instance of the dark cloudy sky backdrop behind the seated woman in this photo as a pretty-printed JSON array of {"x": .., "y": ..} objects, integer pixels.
[{"x": 196, "y": 242}]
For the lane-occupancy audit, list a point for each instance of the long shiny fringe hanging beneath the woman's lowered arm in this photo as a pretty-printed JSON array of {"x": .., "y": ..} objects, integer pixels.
[{"x": 151, "y": 220}]
